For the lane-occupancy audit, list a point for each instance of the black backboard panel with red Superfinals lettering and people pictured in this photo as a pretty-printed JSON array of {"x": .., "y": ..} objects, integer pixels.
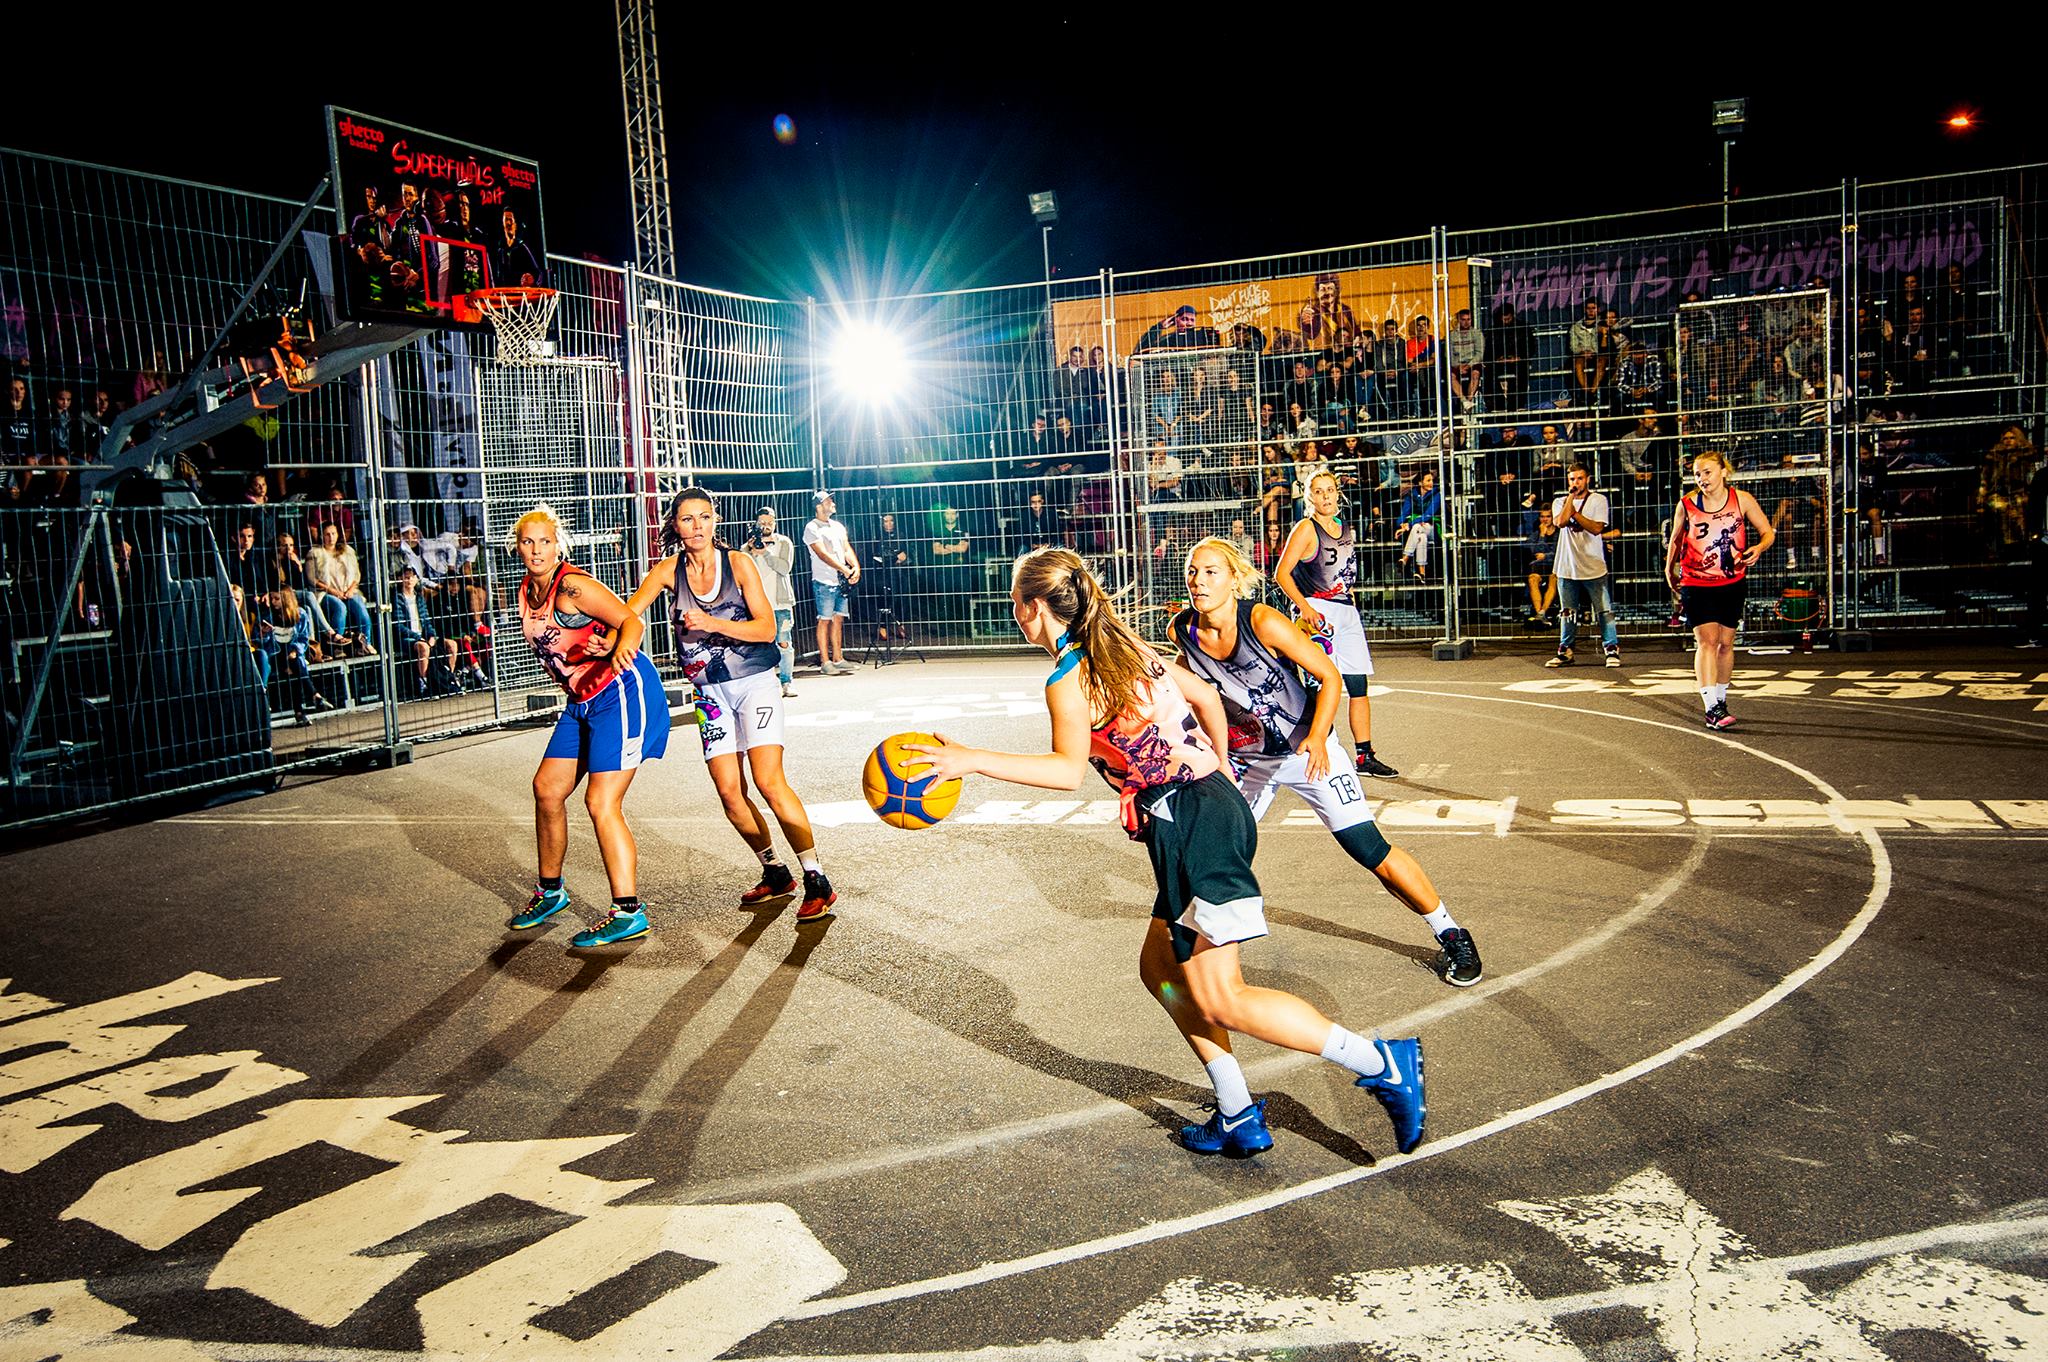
[{"x": 427, "y": 220}]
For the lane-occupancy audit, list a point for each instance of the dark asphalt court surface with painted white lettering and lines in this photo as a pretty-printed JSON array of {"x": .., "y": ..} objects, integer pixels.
[{"x": 1754, "y": 1070}]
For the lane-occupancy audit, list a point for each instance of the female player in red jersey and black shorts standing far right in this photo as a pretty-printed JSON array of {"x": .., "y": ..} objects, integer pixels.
[{"x": 1707, "y": 564}]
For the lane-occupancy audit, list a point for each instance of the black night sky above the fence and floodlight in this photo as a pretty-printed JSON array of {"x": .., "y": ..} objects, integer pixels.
[{"x": 916, "y": 146}]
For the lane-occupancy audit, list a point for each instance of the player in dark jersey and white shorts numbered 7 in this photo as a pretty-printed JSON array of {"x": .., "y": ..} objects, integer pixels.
[{"x": 726, "y": 644}]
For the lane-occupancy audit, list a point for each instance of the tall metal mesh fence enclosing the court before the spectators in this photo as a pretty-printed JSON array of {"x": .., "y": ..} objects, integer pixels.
[{"x": 1871, "y": 357}]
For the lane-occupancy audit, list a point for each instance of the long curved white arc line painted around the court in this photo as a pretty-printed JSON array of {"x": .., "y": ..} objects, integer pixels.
[{"x": 1881, "y": 888}]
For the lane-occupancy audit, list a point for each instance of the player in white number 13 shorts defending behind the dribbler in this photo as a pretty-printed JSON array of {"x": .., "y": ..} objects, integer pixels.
[{"x": 1281, "y": 736}]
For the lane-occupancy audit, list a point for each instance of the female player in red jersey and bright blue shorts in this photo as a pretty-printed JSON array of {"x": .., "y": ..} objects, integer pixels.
[{"x": 617, "y": 718}]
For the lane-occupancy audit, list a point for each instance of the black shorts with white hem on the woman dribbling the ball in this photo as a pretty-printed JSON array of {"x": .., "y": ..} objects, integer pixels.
[{"x": 1201, "y": 841}]
